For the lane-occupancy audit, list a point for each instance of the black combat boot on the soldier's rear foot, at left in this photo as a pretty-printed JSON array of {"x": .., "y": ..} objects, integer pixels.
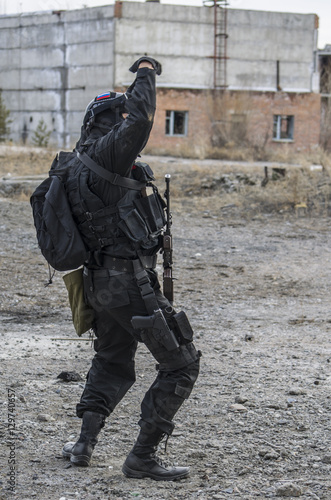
[{"x": 80, "y": 452}]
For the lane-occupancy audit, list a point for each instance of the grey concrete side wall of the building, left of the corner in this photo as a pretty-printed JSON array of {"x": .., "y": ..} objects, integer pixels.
[{"x": 51, "y": 65}]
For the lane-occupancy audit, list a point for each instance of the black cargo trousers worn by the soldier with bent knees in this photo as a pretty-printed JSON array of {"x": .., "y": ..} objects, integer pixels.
[{"x": 115, "y": 298}]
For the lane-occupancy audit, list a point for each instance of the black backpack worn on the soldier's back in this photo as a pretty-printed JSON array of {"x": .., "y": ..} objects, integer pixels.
[{"x": 58, "y": 237}]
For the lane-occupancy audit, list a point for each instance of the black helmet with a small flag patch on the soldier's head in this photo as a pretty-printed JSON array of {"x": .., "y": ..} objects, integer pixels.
[{"x": 113, "y": 102}]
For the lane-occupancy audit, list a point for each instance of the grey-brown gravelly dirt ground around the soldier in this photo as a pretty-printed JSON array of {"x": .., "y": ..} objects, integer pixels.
[{"x": 253, "y": 273}]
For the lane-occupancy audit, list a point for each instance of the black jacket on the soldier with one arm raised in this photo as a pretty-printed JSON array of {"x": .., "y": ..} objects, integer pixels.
[{"x": 116, "y": 151}]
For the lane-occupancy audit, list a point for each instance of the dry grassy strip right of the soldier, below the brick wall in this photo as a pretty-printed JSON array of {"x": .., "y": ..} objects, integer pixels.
[{"x": 213, "y": 188}]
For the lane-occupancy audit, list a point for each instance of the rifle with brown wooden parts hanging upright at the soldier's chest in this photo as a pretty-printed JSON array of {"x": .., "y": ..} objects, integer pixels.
[{"x": 168, "y": 285}]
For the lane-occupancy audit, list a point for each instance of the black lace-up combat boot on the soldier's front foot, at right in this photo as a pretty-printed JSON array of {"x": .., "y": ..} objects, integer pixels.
[{"x": 143, "y": 462}]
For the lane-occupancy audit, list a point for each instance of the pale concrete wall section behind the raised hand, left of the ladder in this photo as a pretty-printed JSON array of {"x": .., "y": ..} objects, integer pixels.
[{"x": 179, "y": 37}]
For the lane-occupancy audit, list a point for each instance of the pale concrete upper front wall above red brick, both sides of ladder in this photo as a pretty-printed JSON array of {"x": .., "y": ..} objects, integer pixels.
[{"x": 182, "y": 38}]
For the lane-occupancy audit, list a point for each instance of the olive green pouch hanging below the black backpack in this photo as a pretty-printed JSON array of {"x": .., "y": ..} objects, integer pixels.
[{"x": 82, "y": 313}]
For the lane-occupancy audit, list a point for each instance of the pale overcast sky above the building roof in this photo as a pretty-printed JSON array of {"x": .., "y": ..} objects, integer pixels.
[{"x": 320, "y": 7}]
